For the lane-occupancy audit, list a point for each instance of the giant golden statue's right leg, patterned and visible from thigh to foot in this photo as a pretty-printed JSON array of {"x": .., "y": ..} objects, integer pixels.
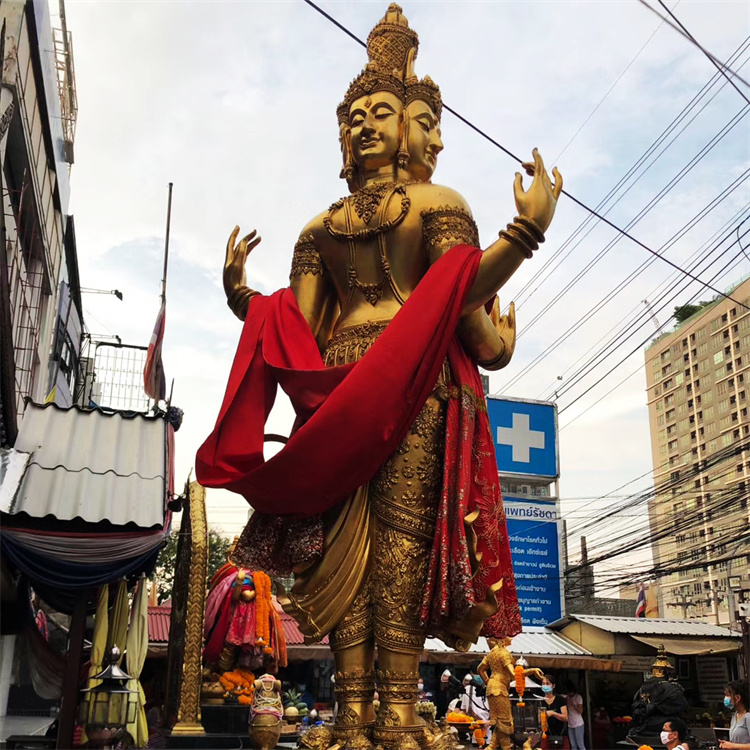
[{"x": 405, "y": 499}]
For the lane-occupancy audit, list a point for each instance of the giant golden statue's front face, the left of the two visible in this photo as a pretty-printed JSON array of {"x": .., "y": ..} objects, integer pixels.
[{"x": 375, "y": 129}]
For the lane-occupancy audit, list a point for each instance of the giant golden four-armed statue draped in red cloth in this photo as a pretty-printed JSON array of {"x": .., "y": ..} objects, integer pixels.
[{"x": 407, "y": 553}]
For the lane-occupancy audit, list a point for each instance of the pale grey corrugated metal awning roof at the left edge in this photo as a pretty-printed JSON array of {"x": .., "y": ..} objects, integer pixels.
[{"x": 90, "y": 464}]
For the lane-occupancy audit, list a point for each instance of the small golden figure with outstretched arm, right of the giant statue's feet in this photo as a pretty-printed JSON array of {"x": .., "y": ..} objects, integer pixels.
[{"x": 499, "y": 662}]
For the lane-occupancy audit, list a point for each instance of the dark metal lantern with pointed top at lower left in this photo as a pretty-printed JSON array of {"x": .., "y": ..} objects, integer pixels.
[{"x": 106, "y": 709}]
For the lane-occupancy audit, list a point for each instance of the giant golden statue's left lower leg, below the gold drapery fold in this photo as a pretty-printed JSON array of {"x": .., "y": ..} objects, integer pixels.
[{"x": 354, "y": 654}]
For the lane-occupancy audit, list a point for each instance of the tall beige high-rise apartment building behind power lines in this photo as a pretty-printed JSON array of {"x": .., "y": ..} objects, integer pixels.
[{"x": 698, "y": 384}]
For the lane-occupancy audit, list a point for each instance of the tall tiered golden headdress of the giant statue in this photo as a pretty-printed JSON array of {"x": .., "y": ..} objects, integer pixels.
[{"x": 391, "y": 49}]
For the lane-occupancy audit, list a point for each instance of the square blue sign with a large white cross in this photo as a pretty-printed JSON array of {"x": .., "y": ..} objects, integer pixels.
[{"x": 525, "y": 437}]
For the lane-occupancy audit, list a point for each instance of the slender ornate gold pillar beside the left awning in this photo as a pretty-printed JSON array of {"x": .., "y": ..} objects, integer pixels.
[{"x": 189, "y": 711}]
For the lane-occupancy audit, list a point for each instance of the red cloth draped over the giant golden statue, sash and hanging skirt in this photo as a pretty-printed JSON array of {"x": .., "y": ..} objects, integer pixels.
[{"x": 350, "y": 418}]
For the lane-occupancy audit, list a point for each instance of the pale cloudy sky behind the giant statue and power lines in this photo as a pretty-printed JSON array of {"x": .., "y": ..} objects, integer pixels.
[{"x": 234, "y": 102}]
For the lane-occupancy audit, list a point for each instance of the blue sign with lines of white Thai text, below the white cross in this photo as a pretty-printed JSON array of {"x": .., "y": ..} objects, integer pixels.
[{"x": 535, "y": 534}]
